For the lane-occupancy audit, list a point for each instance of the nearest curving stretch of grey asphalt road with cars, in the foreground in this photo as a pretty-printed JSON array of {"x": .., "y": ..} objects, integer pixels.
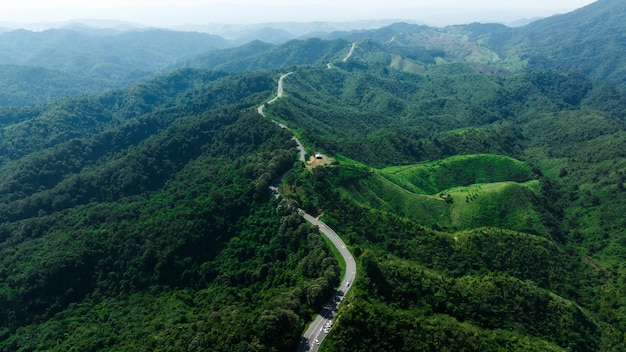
[{"x": 317, "y": 331}]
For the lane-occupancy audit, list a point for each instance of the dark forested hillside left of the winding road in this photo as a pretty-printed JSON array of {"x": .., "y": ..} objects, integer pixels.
[{"x": 150, "y": 223}]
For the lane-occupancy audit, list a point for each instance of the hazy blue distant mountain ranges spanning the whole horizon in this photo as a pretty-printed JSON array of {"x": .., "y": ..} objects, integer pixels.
[{"x": 108, "y": 54}]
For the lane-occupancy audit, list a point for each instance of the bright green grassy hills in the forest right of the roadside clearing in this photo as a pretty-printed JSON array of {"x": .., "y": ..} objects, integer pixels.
[{"x": 461, "y": 192}]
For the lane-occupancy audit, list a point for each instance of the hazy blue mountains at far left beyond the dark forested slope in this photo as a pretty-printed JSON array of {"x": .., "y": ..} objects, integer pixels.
[{"x": 39, "y": 67}]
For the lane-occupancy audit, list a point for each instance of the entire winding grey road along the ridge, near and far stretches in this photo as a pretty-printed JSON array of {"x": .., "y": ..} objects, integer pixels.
[{"x": 319, "y": 328}]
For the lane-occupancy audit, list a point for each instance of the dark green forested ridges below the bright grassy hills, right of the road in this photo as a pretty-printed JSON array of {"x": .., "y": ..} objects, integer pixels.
[{"x": 483, "y": 288}]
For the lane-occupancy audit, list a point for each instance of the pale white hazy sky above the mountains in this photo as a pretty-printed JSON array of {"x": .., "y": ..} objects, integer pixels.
[{"x": 177, "y": 12}]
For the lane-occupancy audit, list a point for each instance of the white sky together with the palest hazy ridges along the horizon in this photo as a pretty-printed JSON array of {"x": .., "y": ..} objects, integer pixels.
[{"x": 269, "y": 21}]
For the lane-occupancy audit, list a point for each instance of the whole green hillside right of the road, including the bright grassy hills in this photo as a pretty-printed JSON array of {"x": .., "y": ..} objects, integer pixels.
[{"x": 505, "y": 188}]
